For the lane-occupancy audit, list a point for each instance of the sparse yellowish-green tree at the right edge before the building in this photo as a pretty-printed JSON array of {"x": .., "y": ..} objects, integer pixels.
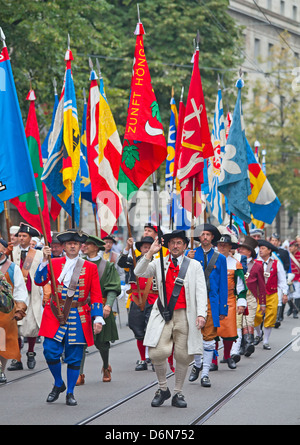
[{"x": 274, "y": 119}]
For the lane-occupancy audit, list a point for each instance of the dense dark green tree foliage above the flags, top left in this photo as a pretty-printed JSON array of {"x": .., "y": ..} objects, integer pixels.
[{"x": 36, "y": 35}]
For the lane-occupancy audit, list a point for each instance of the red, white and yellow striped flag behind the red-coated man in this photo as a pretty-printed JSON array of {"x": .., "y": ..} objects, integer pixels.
[{"x": 104, "y": 157}]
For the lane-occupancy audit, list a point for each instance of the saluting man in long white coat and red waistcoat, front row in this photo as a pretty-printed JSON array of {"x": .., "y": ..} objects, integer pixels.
[{"x": 177, "y": 325}]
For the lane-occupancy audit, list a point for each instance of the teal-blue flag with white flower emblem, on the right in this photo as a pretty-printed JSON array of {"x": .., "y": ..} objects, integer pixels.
[{"x": 233, "y": 180}]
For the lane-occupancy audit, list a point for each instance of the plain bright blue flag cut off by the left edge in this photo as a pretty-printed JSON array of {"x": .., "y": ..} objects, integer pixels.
[{"x": 16, "y": 173}]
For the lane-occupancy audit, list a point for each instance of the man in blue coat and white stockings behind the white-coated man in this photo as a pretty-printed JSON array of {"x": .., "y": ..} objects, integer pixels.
[{"x": 215, "y": 270}]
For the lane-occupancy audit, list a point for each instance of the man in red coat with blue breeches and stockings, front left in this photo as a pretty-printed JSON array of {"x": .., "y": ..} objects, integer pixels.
[{"x": 77, "y": 331}]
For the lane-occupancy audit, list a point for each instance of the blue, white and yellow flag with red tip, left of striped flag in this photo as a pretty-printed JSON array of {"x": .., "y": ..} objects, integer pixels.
[{"x": 61, "y": 171}]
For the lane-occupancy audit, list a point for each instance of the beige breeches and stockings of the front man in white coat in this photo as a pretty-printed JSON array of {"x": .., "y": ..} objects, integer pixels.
[{"x": 174, "y": 333}]
